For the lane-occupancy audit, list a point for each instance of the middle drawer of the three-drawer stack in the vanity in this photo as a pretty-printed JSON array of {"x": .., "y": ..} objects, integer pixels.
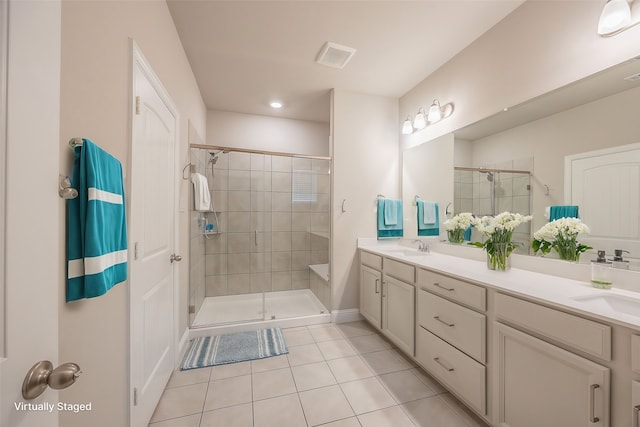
[{"x": 457, "y": 325}]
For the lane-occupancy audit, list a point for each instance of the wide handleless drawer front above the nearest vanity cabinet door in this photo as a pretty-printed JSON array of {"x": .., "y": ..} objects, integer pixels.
[{"x": 582, "y": 334}]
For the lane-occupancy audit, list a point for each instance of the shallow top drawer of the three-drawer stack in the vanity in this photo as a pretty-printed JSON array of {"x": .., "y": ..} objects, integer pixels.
[{"x": 471, "y": 295}]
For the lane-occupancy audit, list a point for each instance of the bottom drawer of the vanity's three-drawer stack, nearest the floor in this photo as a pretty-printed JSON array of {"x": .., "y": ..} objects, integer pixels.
[{"x": 463, "y": 375}]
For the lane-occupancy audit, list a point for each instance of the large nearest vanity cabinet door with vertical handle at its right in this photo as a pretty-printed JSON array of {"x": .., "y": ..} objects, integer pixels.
[{"x": 539, "y": 384}]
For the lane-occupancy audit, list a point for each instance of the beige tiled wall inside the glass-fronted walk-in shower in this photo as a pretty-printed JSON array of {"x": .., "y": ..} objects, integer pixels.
[{"x": 272, "y": 217}]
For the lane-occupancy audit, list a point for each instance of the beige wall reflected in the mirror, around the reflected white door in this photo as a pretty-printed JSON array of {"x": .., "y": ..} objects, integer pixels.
[{"x": 609, "y": 122}]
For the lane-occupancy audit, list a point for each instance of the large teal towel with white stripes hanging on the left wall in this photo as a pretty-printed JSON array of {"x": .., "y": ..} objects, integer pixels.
[{"x": 96, "y": 224}]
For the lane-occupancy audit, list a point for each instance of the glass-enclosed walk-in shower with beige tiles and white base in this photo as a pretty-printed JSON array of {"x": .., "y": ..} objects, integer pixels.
[{"x": 261, "y": 251}]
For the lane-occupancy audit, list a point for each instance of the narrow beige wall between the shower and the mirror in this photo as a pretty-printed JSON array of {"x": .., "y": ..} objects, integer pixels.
[{"x": 366, "y": 162}]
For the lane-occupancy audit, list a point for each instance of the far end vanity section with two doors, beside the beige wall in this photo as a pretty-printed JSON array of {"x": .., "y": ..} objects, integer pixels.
[{"x": 387, "y": 298}]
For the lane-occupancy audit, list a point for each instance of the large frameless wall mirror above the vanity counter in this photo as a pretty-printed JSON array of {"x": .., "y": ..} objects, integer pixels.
[{"x": 527, "y": 146}]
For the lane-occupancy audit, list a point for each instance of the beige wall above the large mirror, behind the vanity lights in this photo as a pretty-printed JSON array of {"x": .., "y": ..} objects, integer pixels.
[{"x": 541, "y": 46}]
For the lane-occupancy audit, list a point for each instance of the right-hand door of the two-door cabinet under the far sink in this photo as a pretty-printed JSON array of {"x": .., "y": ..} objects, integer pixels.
[{"x": 398, "y": 313}]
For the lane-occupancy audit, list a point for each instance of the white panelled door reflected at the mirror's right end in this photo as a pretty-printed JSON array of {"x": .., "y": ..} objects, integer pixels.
[{"x": 604, "y": 184}]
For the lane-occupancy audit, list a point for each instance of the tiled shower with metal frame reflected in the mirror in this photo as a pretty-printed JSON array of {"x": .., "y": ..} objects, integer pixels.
[{"x": 484, "y": 191}]
